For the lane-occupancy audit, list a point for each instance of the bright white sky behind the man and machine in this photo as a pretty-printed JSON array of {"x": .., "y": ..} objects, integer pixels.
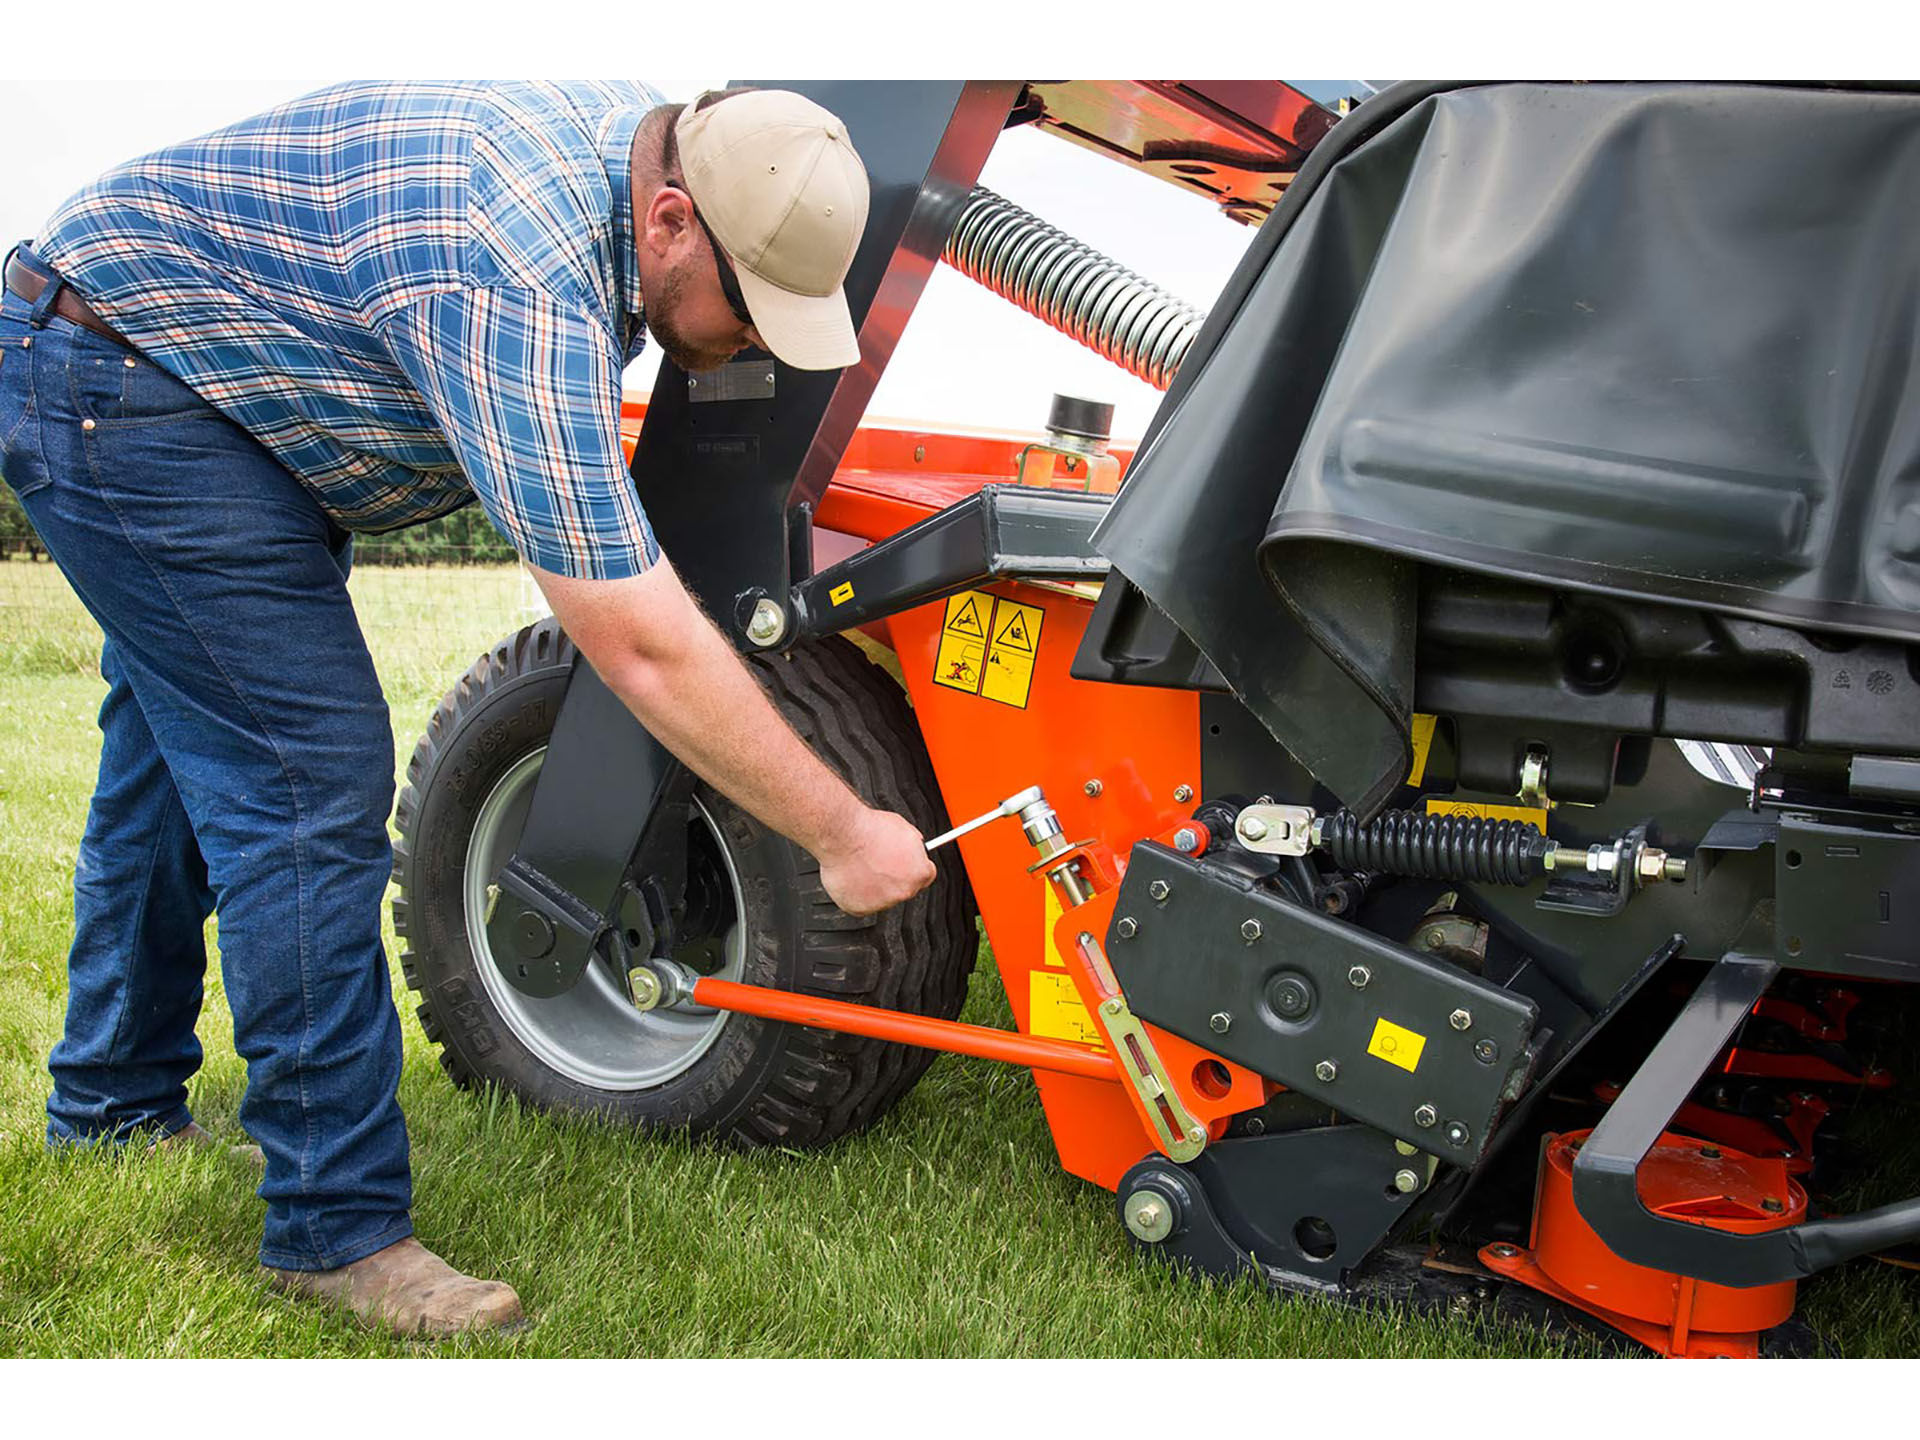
[{"x": 967, "y": 358}]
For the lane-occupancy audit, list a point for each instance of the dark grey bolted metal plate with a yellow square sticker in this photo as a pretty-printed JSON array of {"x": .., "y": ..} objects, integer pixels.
[{"x": 1374, "y": 1030}]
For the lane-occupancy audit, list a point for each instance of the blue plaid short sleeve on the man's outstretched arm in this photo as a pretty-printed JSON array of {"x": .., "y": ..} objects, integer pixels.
[{"x": 529, "y": 395}]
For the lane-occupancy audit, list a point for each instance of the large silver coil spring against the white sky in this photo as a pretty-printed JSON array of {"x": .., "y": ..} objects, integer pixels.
[{"x": 1074, "y": 289}]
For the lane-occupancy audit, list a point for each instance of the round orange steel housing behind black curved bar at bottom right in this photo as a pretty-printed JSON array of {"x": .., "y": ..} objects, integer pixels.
[{"x": 1671, "y": 1314}]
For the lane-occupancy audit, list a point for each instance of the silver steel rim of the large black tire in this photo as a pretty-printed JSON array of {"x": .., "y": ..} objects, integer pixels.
[{"x": 592, "y": 1034}]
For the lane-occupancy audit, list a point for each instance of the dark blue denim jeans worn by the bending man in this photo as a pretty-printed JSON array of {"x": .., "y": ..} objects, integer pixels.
[{"x": 247, "y": 771}]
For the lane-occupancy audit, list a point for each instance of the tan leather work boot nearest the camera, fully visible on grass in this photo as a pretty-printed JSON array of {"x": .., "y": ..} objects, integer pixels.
[{"x": 408, "y": 1289}]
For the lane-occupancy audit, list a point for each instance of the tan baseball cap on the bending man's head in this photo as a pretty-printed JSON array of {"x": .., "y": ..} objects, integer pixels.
[{"x": 784, "y": 193}]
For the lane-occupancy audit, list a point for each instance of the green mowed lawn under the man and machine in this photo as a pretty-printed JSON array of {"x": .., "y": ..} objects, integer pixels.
[{"x": 949, "y": 1230}]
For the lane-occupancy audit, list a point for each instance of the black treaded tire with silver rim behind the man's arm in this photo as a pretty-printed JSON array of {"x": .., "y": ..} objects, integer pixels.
[{"x": 588, "y": 1051}]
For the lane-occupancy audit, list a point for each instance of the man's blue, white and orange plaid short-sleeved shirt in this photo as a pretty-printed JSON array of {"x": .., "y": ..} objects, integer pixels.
[{"x": 412, "y": 295}]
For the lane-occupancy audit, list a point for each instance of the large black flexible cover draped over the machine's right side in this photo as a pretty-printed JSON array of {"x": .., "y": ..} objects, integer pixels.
[{"x": 1652, "y": 341}]
